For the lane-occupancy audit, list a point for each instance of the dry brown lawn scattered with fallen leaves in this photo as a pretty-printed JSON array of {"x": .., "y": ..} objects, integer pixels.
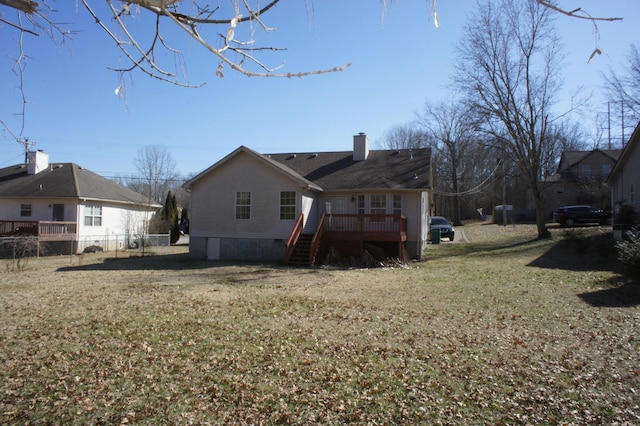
[{"x": 502, "y": 330}]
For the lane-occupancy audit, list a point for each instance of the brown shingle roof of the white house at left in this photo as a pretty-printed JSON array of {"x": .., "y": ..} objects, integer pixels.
[{"x": 65, "y": 180}]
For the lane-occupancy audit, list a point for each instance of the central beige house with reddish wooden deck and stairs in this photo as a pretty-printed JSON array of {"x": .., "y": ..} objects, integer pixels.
[{"x": 297, "y": 206}]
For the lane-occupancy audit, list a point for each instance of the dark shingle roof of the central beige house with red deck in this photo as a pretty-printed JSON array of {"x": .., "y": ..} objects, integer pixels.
[{"x": 335, "y": 171}]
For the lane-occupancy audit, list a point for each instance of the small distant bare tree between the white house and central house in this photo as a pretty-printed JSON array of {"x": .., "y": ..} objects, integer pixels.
[{"x": 157, "y": 170}]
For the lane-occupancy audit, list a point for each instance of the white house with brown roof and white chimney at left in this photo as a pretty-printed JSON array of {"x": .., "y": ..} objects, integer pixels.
[{"x": 66, "y": 202}]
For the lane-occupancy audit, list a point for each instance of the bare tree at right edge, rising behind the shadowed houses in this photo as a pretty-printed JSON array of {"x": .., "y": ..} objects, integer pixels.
[{"x": 624, "y": 91}]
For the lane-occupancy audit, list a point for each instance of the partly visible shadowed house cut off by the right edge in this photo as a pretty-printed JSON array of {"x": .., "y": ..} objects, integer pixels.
[{"x": 624, "y": 179}]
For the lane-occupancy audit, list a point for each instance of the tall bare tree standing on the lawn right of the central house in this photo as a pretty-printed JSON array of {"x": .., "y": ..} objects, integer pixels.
[{"x": 508, "y": 66}]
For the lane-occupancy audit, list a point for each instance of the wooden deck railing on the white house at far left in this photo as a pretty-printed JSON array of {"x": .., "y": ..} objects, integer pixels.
[{"x": 44, "y": 230}]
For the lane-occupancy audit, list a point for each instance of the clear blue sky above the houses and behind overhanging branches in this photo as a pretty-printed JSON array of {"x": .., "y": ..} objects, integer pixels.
[{"x": 399, "y": 61}]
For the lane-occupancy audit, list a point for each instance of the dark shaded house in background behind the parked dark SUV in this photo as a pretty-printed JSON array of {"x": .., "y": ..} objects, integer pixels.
[{"x": 580, "y": 179}]
